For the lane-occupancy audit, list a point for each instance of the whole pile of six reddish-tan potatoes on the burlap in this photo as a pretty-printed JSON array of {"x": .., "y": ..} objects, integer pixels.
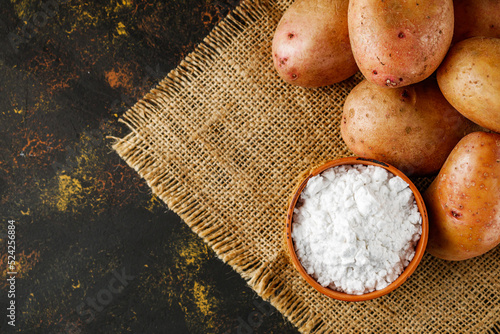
[{"x": 429, "y": 102}]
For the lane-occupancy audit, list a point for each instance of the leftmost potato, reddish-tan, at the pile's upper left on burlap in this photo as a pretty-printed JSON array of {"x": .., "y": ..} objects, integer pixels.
[{"x": 311, "y": 45}]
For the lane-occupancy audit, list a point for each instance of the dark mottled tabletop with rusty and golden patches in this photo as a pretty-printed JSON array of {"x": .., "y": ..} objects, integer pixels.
[{"x": 95, "y": 251}]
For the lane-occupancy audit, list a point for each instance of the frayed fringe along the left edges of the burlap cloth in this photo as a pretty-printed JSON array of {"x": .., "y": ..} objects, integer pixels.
[{"x": 133, "y": 150}]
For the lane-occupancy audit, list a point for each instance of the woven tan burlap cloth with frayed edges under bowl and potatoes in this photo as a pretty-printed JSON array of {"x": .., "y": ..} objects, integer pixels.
[{"x": 222, "y": 141}]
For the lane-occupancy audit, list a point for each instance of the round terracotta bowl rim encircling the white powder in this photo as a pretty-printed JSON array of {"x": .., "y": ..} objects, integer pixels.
[{"x": 419, "y": 251}]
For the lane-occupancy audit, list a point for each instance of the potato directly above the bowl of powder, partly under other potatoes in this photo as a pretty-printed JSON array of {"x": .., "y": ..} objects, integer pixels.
[{"x": 412, "y": 128}]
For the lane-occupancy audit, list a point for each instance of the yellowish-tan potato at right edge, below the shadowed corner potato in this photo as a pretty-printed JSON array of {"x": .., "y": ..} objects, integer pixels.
[{"x": 469, "y": 78}]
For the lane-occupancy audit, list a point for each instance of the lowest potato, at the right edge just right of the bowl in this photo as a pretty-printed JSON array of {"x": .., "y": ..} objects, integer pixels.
[{"x": 463, "y": 201}]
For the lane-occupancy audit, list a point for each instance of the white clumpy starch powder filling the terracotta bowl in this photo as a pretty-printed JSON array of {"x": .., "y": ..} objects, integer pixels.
[{"x": 355, "y": 228}]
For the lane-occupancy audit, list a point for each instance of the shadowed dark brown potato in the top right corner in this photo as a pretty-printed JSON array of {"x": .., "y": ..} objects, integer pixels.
[{"x": 476, "y": 18}]
